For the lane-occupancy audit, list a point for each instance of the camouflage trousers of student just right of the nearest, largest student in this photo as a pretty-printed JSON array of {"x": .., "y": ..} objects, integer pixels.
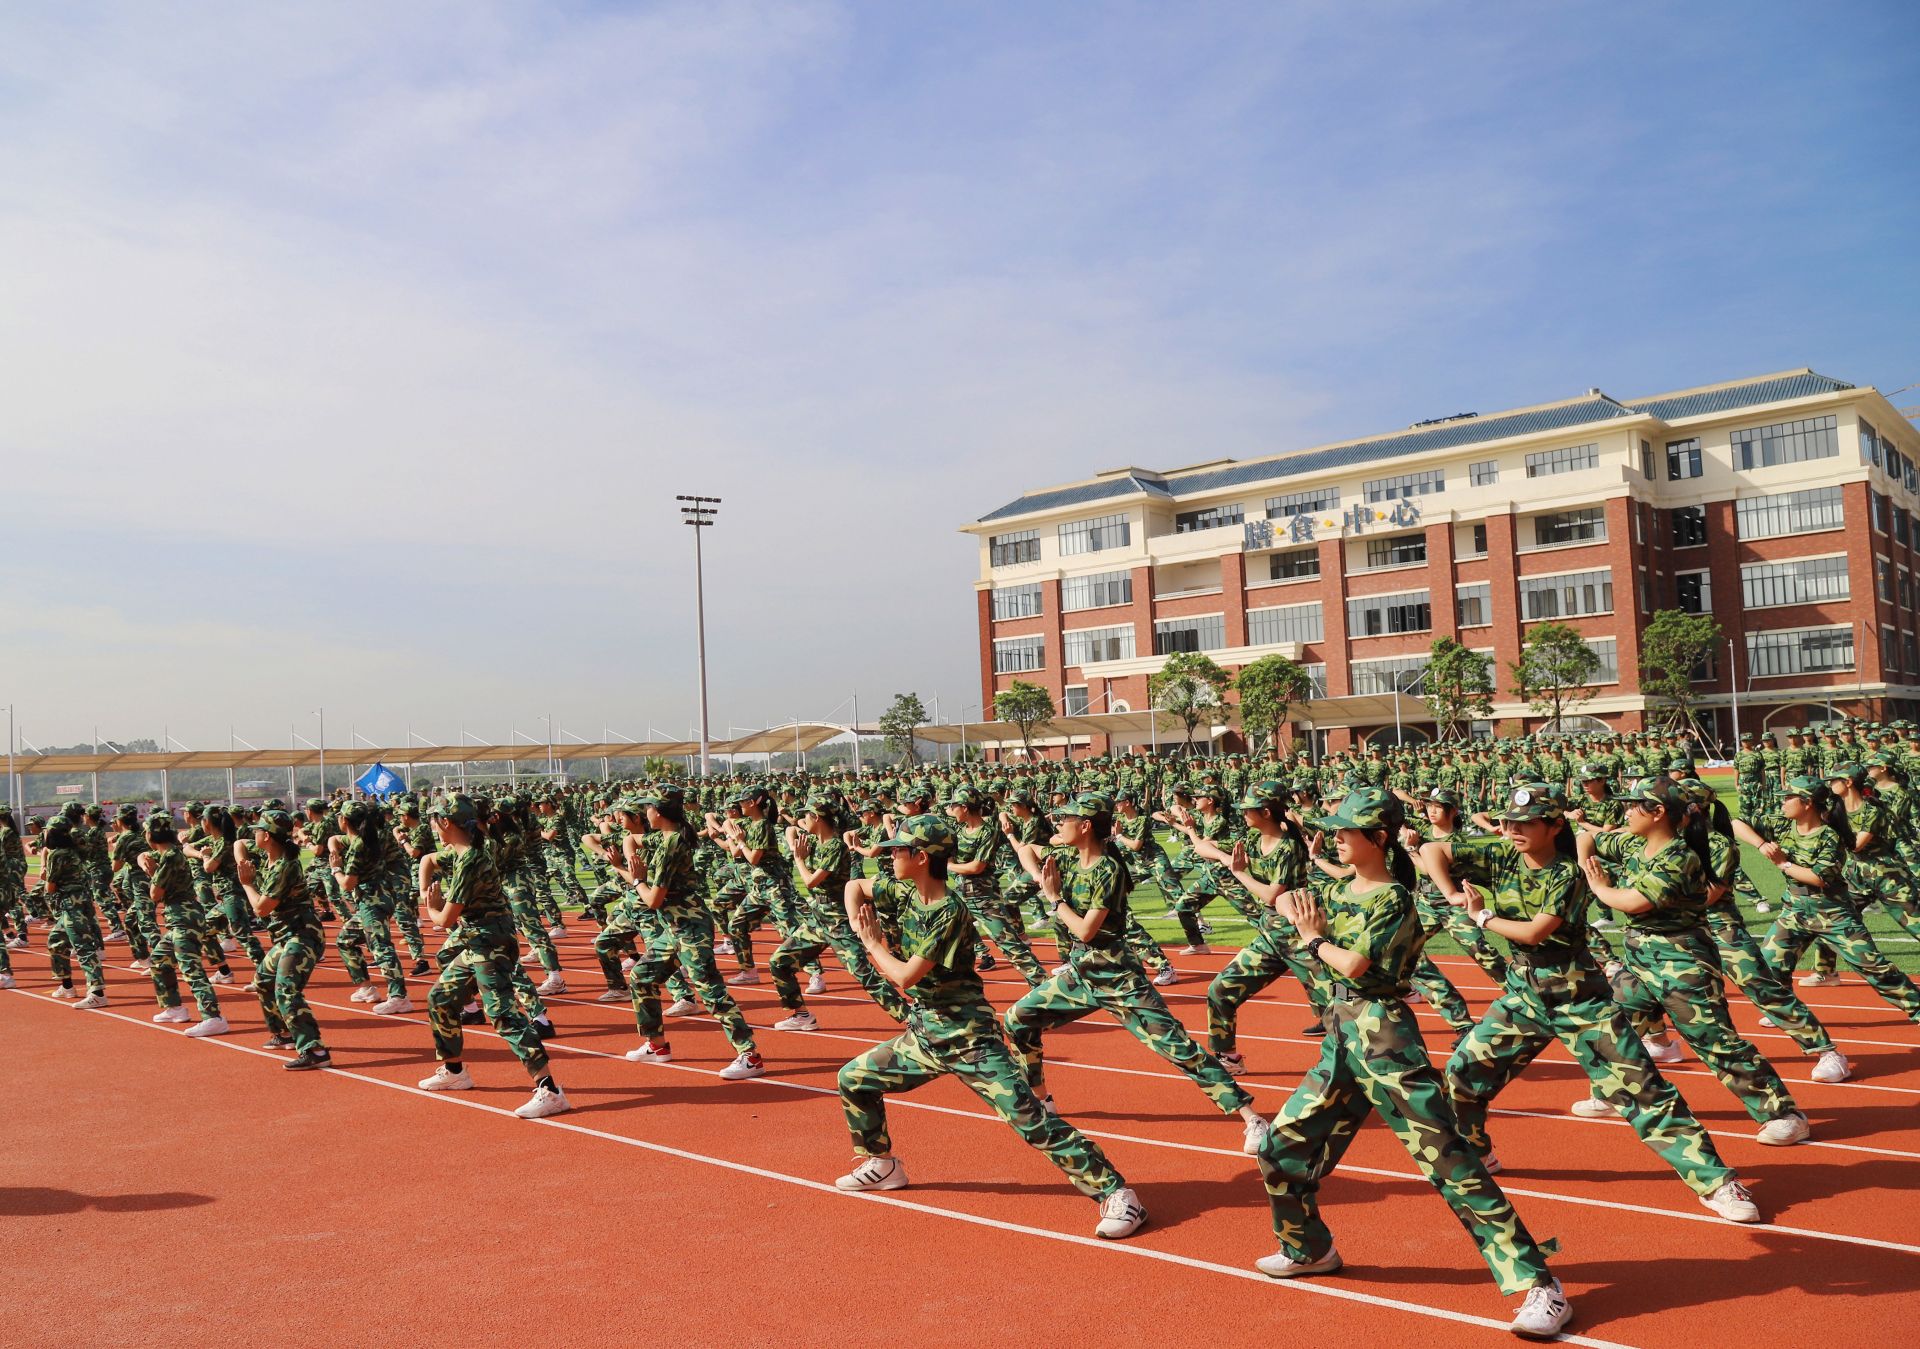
[{"x": 1535, "y": 1012}]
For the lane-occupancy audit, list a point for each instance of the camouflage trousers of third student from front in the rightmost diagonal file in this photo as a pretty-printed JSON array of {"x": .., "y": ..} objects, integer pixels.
[{"x": 1679, "y": 974}]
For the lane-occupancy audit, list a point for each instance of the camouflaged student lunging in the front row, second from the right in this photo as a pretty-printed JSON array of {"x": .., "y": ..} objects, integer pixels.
[{"x": 953, "y": 1029}]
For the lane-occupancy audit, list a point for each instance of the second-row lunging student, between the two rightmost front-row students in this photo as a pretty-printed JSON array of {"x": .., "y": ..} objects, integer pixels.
[{"x": 1090, "y": 899}]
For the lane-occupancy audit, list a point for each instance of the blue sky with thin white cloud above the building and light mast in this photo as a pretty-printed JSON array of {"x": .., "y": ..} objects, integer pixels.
[{"x": 354, "y": 354}]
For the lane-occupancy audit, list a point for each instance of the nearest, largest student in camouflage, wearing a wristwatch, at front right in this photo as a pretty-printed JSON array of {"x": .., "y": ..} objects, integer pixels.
[{"x": 1374, "y": 1060}]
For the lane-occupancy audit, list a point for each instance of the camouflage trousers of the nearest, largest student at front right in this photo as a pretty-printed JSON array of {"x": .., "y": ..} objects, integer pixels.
[{"x": 1374, "y": 1060}]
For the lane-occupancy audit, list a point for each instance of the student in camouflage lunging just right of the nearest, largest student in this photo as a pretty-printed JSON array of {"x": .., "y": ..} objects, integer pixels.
[{"x": 1535, "y": 899}]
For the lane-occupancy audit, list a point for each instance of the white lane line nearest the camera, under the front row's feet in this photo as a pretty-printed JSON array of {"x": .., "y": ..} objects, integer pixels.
[{"x": 913, "y": 1206}]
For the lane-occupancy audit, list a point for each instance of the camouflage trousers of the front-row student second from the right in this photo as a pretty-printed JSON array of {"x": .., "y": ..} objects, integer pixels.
[{"x": 986, "y": 1066}]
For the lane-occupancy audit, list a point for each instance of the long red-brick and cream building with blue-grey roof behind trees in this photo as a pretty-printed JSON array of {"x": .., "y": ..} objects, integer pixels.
[{"x": 1788, "y": 506}]
